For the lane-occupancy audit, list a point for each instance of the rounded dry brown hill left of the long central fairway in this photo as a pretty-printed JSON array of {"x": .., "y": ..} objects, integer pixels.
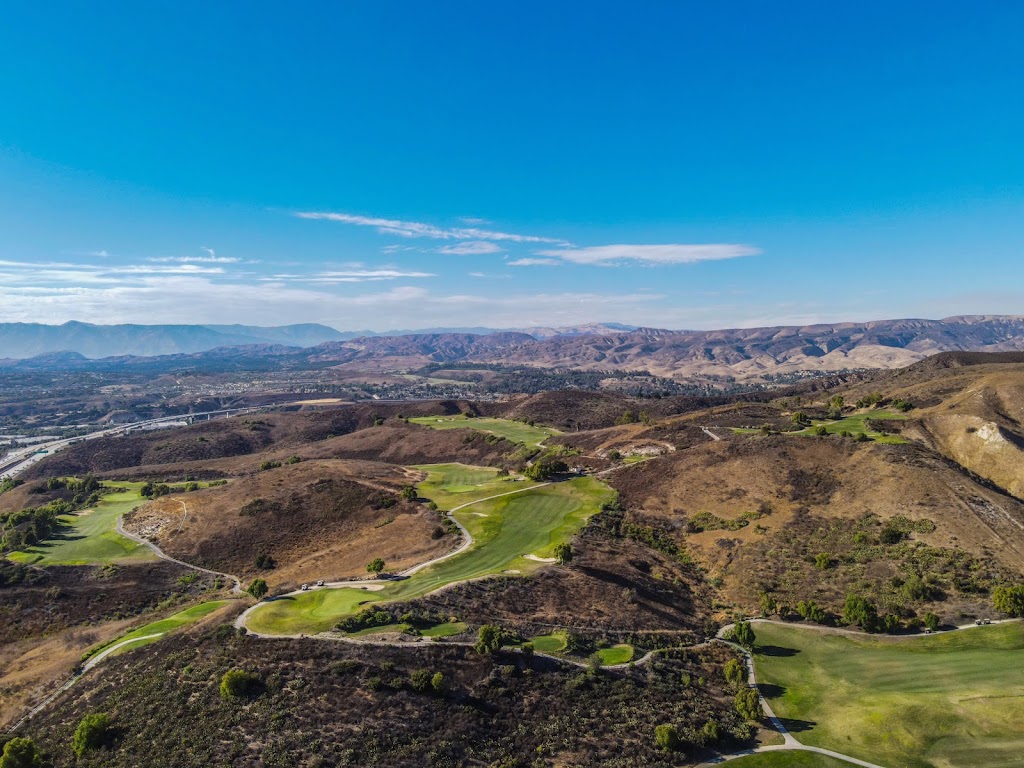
[{"x": 312, "y": 519}]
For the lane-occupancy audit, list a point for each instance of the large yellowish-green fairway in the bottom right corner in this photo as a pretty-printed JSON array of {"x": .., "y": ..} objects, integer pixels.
[{"x": 949, "y": 701}]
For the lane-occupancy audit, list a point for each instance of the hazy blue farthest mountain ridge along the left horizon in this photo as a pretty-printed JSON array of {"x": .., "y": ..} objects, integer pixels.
[{"x": 24, "y": 340}]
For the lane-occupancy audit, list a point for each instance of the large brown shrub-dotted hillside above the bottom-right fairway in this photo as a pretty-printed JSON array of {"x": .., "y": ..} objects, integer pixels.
[{"x": 803, "y": 497}]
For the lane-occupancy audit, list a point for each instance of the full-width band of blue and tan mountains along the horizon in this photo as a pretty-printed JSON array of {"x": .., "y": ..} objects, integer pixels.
[{"x": 744, "y": 354}]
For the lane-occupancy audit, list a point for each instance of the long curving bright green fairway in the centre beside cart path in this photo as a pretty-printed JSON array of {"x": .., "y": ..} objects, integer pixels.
[{"x": 504, "y": 530}]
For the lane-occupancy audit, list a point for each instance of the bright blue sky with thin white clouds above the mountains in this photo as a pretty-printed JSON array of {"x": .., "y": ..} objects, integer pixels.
[{"x": 397, "y": 165}]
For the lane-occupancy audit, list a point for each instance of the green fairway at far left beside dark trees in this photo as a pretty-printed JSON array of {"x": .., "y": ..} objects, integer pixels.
[{"x": 91, "y": 537}]
